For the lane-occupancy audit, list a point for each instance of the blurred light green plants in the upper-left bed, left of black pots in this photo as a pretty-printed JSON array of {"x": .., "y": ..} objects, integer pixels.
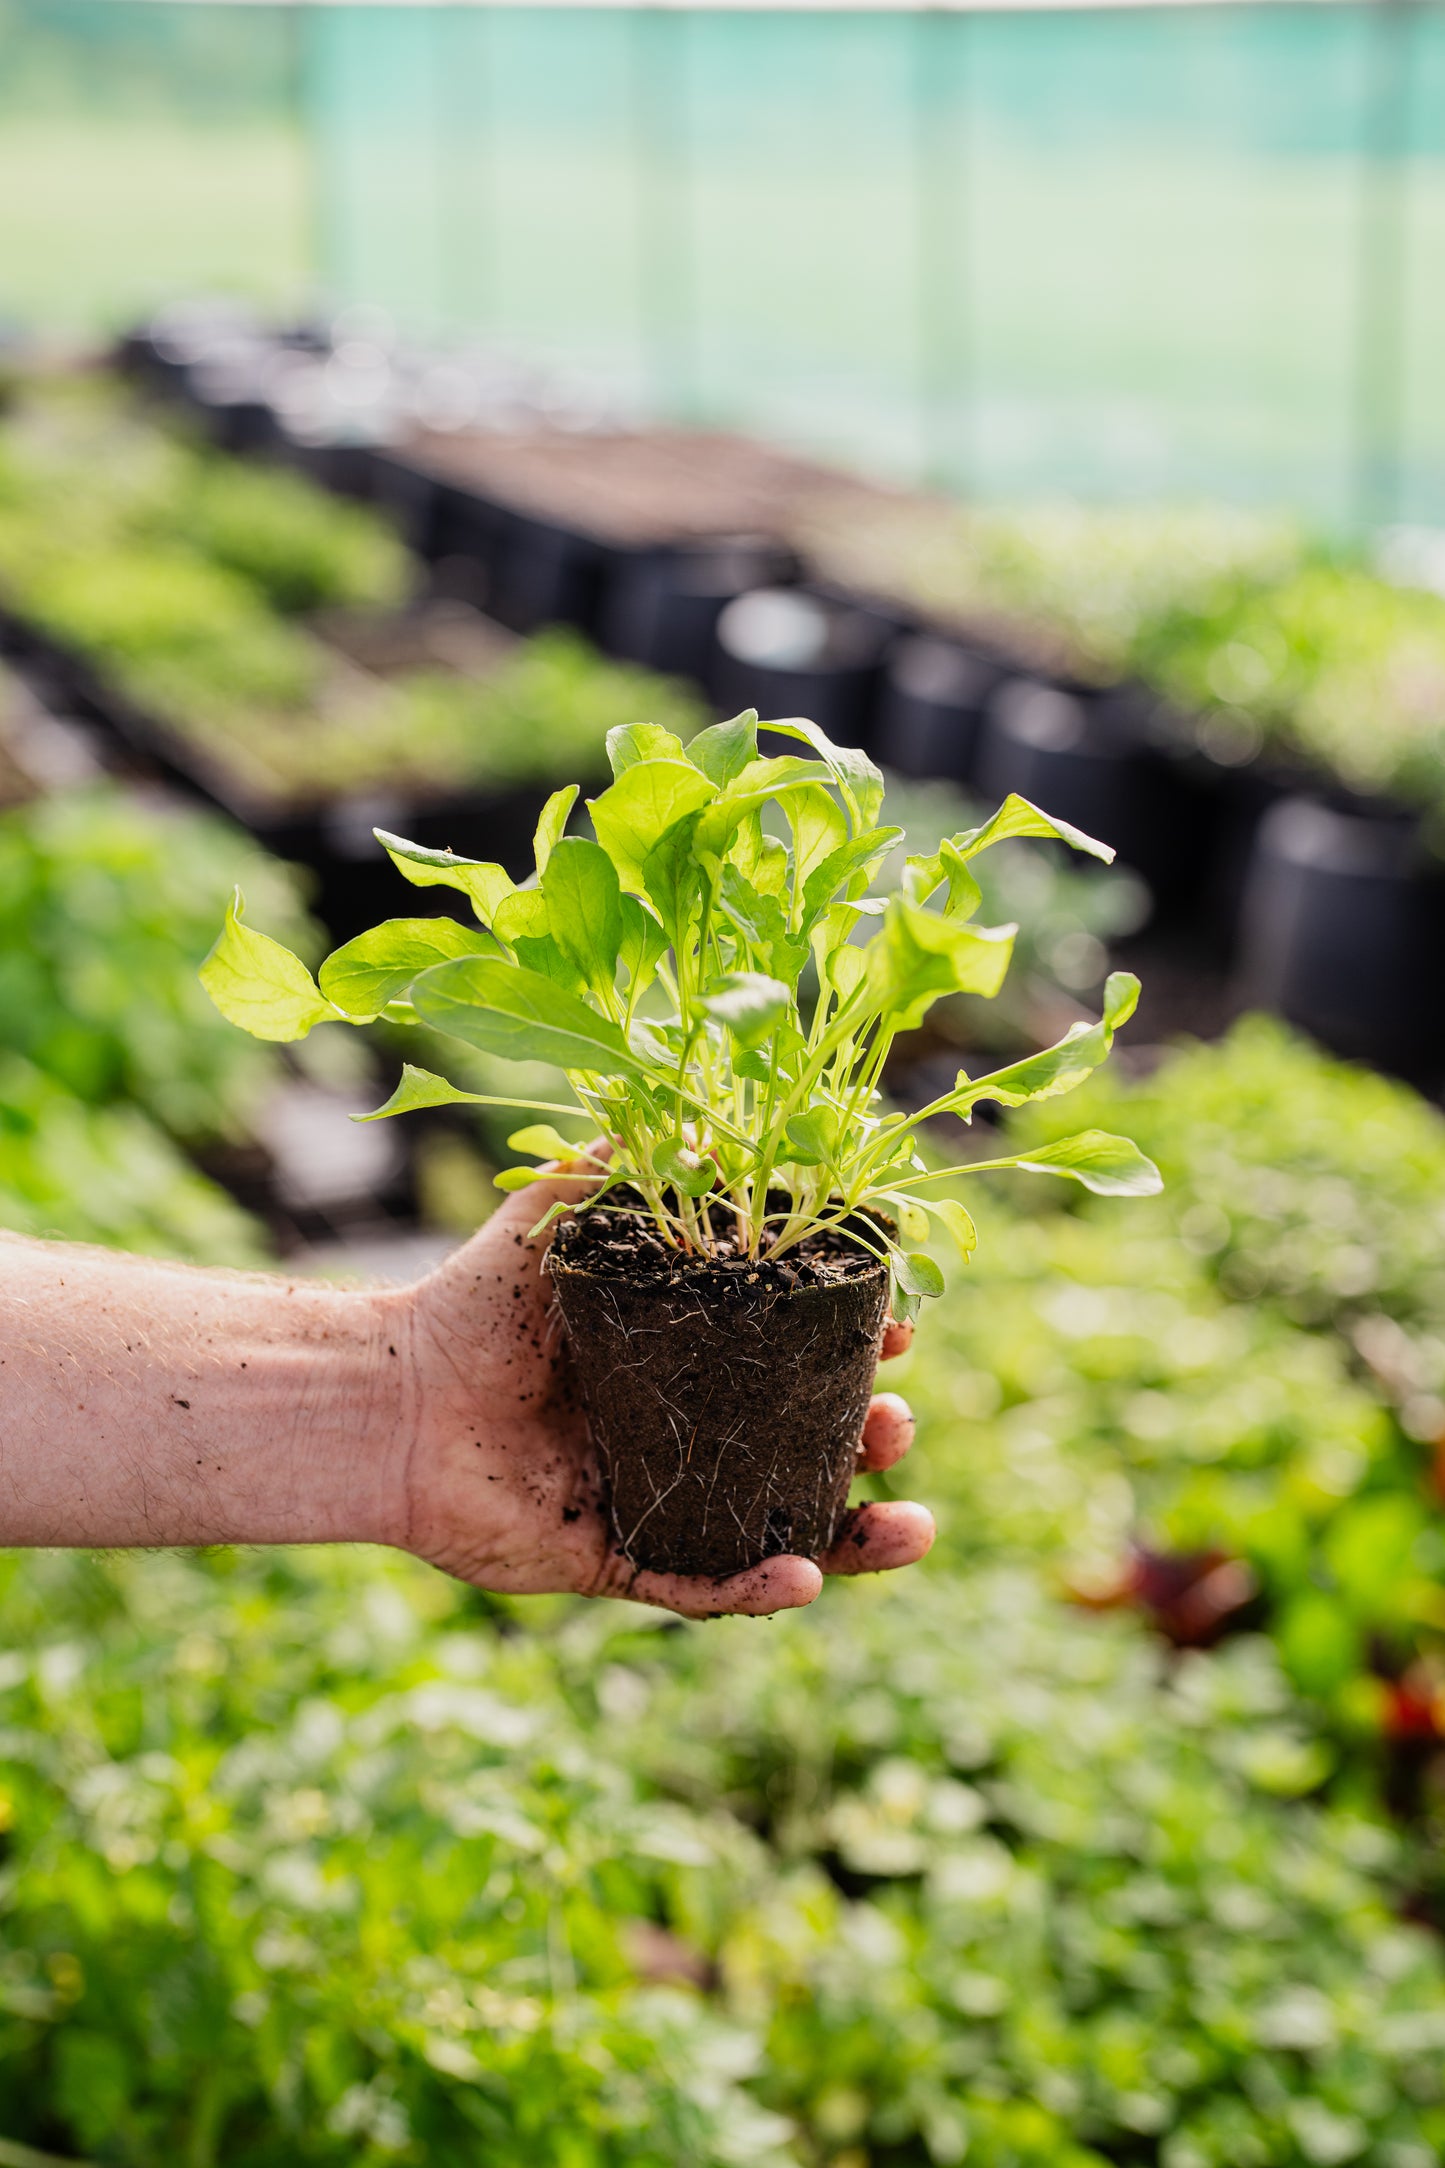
[{"x": 181, "y": 578}]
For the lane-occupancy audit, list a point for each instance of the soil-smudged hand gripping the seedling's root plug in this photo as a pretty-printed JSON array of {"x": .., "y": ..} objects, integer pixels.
[{"x": 502, "y": 1484}]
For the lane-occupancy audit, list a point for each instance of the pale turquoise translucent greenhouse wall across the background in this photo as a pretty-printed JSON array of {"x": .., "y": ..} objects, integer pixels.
[{"x": 1123, "y": 253}]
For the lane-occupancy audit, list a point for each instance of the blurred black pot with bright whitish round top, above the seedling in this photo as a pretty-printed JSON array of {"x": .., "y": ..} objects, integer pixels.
[{"x": 790, "y": 651}]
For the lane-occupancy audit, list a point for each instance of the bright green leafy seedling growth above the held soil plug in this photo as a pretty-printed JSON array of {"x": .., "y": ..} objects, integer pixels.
[{"x": 722, "y": 1001}]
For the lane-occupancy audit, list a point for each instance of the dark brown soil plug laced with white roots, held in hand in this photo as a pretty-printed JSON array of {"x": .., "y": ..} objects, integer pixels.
[{"x": 725, "y": 1399}]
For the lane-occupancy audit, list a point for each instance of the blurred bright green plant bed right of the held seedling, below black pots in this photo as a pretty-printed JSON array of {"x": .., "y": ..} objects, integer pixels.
[{"x": 1260, "y": 1354}]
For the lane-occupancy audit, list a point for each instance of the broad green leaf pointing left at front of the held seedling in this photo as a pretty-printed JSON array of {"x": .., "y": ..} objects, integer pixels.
[{"x": 519, "y": 1014}]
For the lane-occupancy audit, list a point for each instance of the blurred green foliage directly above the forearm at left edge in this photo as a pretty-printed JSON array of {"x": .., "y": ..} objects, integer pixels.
[{"x": 109, "y": 1050}]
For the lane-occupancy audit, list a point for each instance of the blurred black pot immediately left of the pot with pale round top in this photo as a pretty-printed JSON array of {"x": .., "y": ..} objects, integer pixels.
[{"x": 662, "y": 606}]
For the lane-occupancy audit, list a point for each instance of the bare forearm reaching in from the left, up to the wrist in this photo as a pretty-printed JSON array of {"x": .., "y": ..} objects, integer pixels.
[{"x": 155, "y": 1404}]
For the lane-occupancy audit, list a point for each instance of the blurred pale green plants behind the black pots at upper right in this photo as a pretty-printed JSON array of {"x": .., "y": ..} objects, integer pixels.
[{"x": 1255, "y": 634}]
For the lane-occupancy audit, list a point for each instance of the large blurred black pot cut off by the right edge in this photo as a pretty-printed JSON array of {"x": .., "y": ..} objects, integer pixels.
[{"x": 1342, "y": 933}]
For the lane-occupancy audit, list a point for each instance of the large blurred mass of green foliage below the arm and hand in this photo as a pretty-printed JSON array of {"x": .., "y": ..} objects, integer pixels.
[{"x": 309, "y": 1861}]
